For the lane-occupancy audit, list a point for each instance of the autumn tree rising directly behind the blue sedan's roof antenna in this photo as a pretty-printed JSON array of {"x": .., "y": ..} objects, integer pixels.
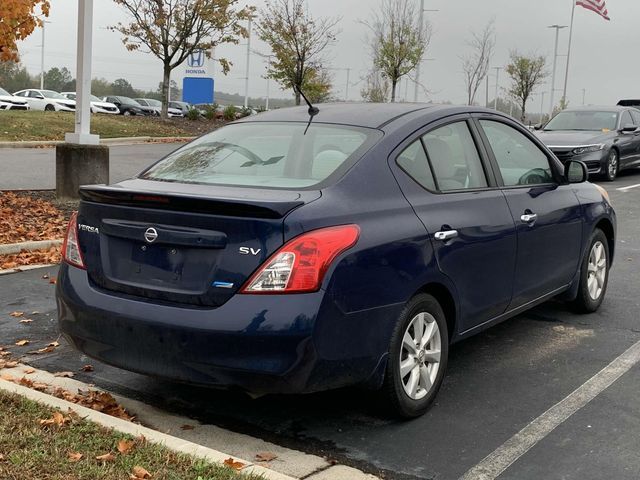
[{"x": 297, "y": 41}]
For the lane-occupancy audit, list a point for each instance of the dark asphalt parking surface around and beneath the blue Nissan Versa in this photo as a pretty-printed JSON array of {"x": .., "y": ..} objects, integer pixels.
[{"x": 498, "y": 382}]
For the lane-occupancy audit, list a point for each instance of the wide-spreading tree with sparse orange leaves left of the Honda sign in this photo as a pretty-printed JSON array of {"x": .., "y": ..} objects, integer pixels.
[{"x": 174, "y": 29}]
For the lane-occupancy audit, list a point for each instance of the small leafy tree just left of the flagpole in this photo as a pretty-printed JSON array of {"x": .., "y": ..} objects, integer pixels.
[{"x": 526, "y": 74}]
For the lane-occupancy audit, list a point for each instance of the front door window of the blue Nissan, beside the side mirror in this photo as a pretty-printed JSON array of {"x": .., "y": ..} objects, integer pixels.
[{"x": 520, "y": 161}]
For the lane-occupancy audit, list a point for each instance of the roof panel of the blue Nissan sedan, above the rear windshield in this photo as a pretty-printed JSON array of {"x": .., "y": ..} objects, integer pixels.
[{"x": 373, "y": 115}]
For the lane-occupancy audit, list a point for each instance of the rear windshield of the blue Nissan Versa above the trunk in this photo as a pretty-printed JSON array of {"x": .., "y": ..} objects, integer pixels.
[{"x": 278, "y": 155}]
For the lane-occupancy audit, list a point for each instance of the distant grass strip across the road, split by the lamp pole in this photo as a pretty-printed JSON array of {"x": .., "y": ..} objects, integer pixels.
[{"x": 37, "y": 125}]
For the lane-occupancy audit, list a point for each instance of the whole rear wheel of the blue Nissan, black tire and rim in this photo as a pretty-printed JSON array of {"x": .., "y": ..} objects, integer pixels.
[{"x": 415, "y": 371}]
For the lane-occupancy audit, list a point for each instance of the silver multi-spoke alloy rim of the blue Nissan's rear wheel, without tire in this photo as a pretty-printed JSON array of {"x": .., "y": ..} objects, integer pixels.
[{"x": 420, "y": 355}]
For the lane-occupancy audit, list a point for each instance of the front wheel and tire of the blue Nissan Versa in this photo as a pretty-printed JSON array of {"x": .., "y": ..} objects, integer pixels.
[{"x": 594, "y": 274}]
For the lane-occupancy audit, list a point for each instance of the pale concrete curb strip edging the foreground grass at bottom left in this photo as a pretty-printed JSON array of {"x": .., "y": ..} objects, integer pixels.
[{"x": 173, "y": 443}]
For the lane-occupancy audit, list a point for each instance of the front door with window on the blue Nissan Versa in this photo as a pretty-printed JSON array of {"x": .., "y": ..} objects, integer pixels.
[{"x": 545, "y": 210}]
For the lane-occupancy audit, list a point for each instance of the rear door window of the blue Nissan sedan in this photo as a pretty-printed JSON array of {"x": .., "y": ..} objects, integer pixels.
[{"x": 454, "y": 158}]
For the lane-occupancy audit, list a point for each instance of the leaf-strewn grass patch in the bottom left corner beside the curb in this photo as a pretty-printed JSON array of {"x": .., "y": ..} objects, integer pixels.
[{"x": 30, "y": 450}]
